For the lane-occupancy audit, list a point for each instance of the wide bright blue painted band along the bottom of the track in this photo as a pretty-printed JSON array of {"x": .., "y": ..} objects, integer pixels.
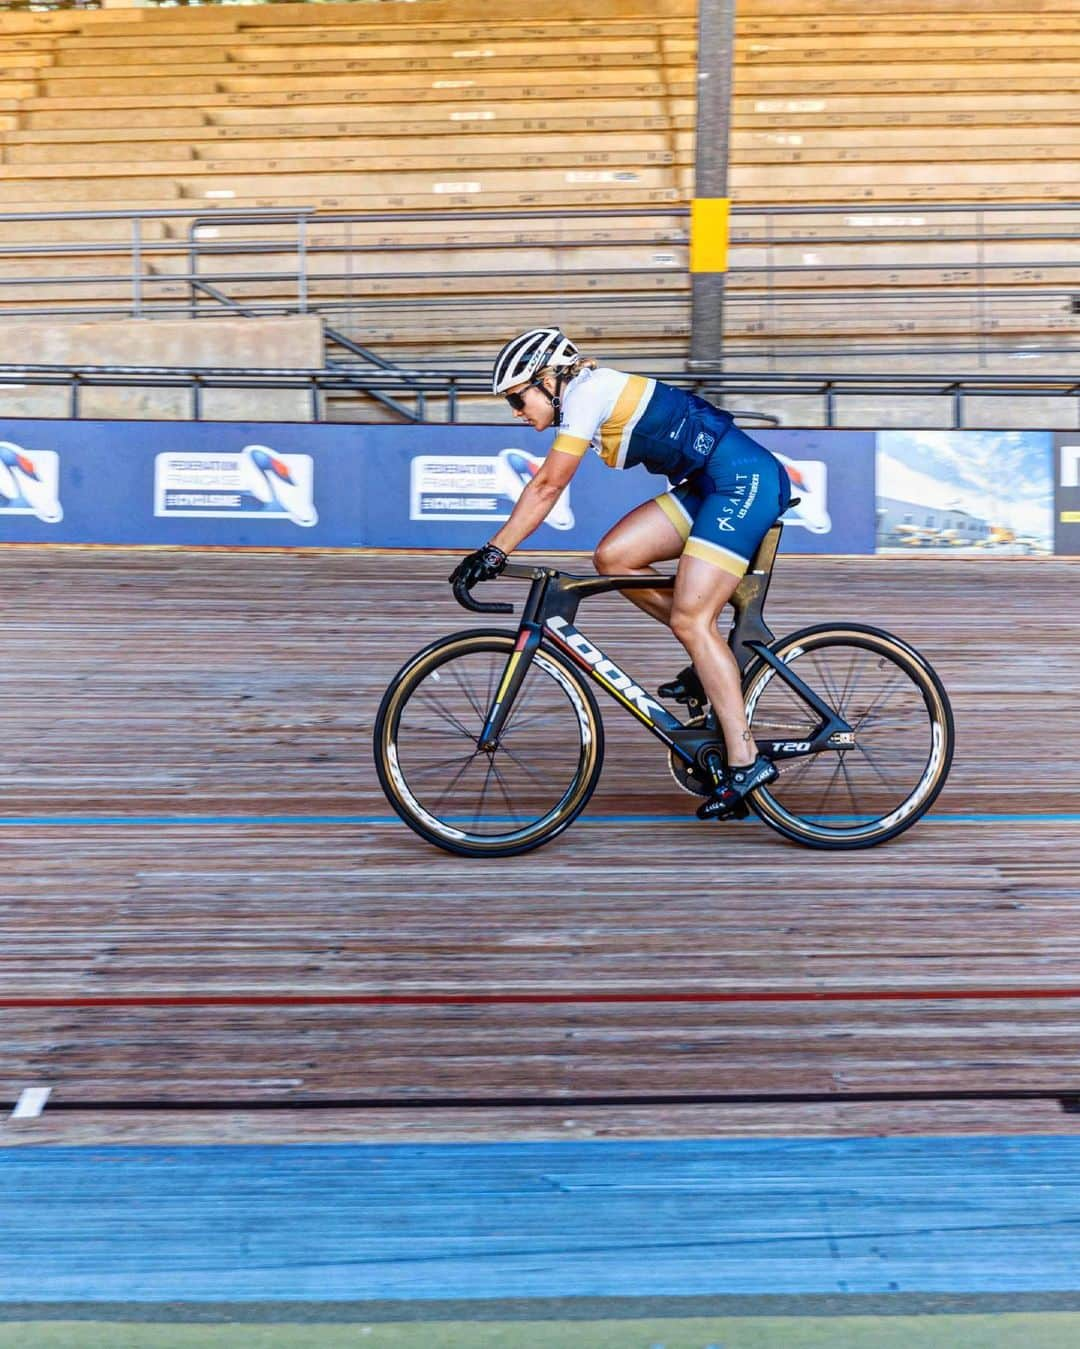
[{"x": 517, "y": 1220}]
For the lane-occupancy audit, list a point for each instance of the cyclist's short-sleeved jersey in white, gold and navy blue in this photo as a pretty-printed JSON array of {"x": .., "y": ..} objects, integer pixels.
[{"x": 630, "y": 420}]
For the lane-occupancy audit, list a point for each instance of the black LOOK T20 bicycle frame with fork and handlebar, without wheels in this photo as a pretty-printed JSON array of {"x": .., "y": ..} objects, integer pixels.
[{"x": 551, "y": 610}]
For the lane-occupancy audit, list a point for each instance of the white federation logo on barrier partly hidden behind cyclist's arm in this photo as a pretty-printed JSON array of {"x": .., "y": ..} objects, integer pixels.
[{"x": 482, "y": 488}]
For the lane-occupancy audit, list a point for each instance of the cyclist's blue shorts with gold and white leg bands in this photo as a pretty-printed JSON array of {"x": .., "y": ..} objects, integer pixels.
[{"x": 725, "y": 509}]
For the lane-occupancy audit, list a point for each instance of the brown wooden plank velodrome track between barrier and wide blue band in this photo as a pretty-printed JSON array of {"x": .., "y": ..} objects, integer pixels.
[{"x": 215, "y": 929}]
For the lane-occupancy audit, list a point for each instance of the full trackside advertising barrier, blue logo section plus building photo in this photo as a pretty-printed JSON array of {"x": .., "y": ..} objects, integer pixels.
[{"x": 971, "y": 493}]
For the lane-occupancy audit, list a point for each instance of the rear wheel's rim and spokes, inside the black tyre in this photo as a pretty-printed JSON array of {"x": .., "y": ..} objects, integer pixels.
[{"x": 900, "y": 753}]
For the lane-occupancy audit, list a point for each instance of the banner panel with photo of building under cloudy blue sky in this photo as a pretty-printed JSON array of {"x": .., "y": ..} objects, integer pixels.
[{"x": 980, "y": 493}]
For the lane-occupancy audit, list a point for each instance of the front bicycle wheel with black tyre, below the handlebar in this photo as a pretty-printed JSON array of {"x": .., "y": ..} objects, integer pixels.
[{"x": 567, "y": 733}]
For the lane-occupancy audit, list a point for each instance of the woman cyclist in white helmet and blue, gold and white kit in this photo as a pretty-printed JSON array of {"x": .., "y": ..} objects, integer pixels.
[{"x": 727, "y": 493}]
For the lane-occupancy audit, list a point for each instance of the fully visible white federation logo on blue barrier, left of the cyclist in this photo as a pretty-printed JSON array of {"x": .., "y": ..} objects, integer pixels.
[{"x": 258, "y": 484}]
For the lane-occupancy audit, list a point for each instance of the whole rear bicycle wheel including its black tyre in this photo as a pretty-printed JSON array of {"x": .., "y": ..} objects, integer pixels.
[{"x": 785, "y": 805}]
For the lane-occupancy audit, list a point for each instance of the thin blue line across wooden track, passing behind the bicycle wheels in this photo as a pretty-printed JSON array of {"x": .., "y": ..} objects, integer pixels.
[{"x": 258, "y": 821}]
